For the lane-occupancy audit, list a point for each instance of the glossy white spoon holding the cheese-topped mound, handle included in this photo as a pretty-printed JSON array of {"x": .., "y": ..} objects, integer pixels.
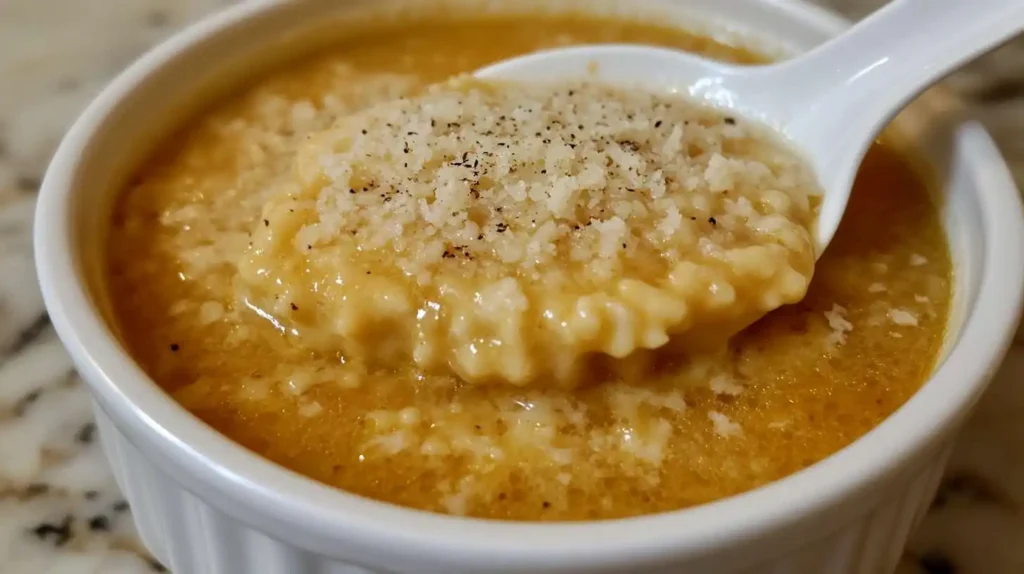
[{"x": 830, "y": 103}]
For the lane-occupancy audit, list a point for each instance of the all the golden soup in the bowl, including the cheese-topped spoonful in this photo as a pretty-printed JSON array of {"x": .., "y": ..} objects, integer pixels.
[{"x": 519, "y": 302}]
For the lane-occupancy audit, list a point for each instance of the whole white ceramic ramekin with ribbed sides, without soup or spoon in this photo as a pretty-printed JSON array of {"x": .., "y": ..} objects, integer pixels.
[{"x": 204, "y": 505}]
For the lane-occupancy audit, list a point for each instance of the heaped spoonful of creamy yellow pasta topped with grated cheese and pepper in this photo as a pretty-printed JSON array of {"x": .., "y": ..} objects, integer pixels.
[{"x": 505, "y": 232}]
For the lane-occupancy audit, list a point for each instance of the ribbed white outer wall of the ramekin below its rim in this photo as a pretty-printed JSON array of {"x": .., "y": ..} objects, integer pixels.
[{"x": 192, "y": 537}]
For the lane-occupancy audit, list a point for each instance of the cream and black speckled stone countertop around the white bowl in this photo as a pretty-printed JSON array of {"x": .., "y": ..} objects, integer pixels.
[{"x": 60, "y": 509}]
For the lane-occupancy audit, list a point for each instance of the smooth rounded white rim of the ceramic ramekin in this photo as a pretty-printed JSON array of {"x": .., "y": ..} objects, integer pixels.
[{"x": 316, "y": 516}]
